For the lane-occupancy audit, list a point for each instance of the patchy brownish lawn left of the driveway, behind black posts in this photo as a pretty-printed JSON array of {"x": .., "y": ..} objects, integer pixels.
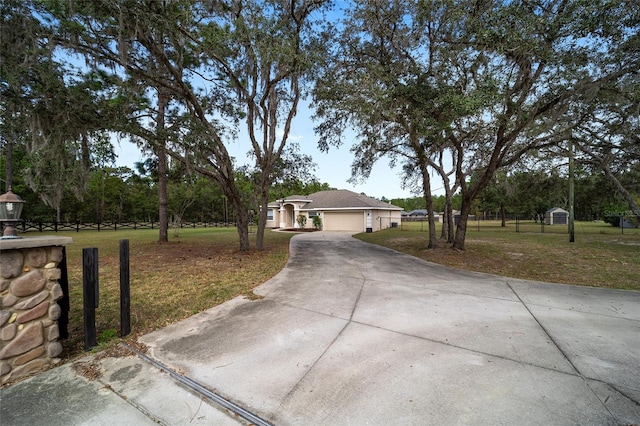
[{"x": 199, "y": 269}]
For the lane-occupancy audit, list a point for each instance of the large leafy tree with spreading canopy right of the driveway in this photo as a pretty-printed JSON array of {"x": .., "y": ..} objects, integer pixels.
[{"x": 489, "y": 81}]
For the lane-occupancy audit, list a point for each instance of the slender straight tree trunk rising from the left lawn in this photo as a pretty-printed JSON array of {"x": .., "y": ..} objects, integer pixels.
[{"x": 161, "y": 153}]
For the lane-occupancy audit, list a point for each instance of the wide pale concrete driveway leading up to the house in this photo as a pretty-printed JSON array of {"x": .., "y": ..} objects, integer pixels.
[{"x": 354, "y": 334}]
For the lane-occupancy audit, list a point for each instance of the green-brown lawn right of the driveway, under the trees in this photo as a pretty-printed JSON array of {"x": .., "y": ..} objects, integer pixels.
[{"x": 601, "y": 256}]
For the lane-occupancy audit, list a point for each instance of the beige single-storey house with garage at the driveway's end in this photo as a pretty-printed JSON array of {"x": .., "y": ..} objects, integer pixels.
[{"x": 340, "y": 210}]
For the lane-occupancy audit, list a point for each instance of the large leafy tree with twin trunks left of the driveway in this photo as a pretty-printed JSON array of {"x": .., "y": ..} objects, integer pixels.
[{"x": 218, "y": 64}]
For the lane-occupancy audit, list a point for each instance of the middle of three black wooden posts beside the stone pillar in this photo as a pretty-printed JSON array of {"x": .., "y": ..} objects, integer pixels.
[{"x": 90, "y": 294}]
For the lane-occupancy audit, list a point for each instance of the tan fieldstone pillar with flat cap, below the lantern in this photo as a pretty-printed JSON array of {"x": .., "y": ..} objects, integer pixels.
[{"x": 29, "y": 290}]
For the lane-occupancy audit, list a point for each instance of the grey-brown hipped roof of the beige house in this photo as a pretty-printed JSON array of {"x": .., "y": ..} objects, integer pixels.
[{"x": 337, "y": 200}]
